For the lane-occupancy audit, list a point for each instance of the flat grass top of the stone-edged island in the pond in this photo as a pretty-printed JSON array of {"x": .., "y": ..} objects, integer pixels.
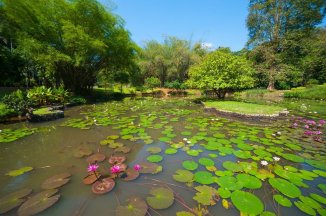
[{"x": 245, "y": 108}]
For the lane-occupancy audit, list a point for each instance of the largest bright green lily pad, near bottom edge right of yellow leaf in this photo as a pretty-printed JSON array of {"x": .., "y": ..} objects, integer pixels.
[{"x": 247, "y": 202}]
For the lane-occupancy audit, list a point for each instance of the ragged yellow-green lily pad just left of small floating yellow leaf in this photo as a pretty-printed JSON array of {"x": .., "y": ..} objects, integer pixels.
[{"x": 205, "y": 195}]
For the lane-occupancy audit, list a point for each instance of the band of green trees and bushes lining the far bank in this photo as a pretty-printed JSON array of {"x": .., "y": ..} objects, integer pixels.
[{"x": 80, "y": 44}]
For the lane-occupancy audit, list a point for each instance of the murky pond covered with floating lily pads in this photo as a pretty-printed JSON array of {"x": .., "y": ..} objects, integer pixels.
[{"x": 204, "y": 163}]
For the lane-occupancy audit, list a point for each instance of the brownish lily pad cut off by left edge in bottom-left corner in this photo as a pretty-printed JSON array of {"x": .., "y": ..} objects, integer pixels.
[{"x": 13, "y": 200}]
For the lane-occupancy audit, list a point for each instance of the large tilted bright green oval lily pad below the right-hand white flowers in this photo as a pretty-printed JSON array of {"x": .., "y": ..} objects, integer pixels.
[{"x": 285, "y": 187}]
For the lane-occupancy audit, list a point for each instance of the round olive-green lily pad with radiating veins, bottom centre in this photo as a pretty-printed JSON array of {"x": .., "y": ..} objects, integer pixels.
[{"x": 161, "y": 198}]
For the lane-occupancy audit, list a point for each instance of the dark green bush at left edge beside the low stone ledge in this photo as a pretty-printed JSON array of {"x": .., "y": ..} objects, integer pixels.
[{"x": 17, "y": 101}]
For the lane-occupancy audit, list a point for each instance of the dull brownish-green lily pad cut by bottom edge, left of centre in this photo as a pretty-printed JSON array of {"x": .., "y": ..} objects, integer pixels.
[{"x": 135, "y": 206}]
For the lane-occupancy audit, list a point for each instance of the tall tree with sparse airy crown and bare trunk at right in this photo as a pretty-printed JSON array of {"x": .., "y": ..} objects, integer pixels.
[{"x": 269, "y": 21}]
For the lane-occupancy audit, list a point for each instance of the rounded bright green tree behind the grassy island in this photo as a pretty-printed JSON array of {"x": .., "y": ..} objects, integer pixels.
[{"x": 222, "y": 72}]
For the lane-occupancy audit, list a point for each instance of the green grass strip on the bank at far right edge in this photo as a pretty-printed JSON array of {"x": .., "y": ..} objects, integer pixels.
[{"x": 314, "y": 92}]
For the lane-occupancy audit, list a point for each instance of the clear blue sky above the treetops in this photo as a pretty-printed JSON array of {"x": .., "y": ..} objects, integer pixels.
[{"x": 217, "y": 22}]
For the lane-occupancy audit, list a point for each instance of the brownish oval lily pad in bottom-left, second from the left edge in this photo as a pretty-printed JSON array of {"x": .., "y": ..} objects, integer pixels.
[{"x": 39, "y": 202}]
